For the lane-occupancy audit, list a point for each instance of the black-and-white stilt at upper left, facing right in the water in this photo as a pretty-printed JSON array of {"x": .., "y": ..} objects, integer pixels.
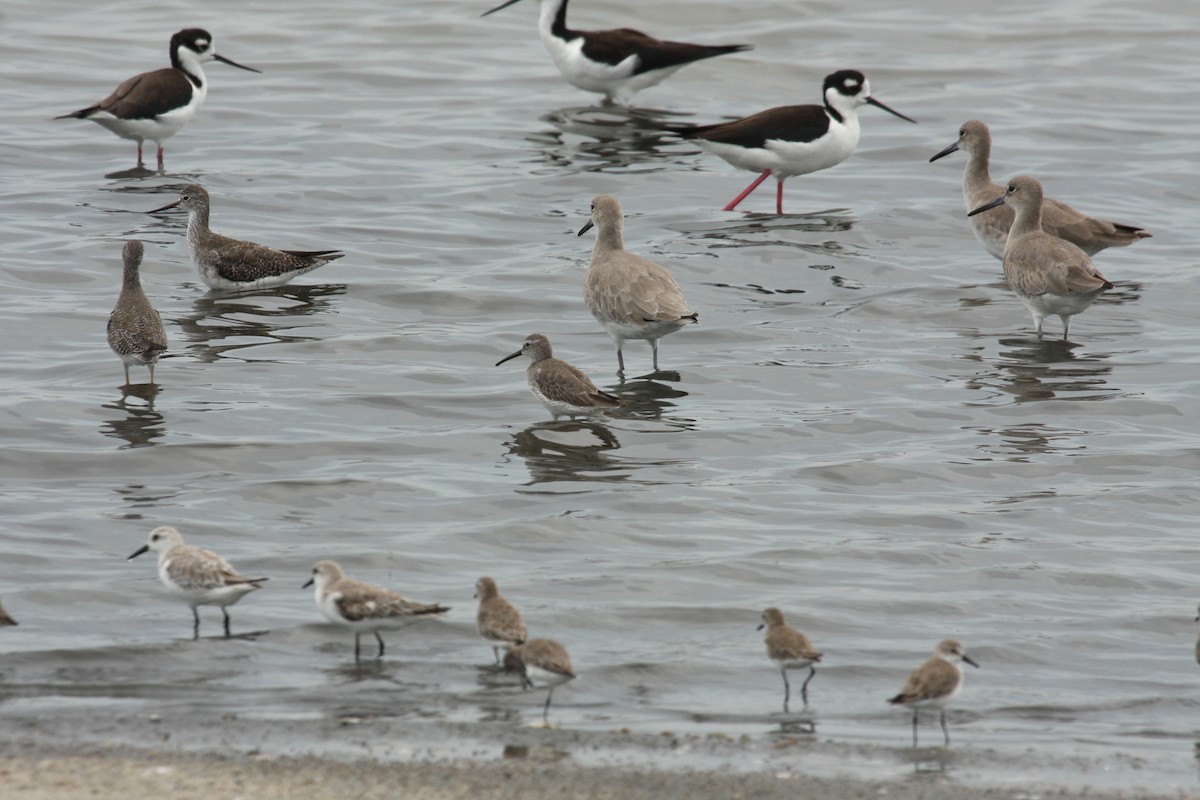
[{"x": 158, "y": 105}]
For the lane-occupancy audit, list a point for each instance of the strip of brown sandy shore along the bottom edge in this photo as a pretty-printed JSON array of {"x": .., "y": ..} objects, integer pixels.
[{"x": 37, "y": 773}]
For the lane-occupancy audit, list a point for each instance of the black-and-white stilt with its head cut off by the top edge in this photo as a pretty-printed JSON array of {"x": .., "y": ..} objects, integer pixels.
[{"x": 617, "y": 63}]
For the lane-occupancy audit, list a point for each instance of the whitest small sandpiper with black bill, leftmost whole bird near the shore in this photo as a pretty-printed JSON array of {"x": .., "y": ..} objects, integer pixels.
[{"x": 200, "y": 578}]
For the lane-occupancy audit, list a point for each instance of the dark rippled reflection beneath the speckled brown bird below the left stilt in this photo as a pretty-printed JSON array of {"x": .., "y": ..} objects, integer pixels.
[{"x": 220, "y": 323}]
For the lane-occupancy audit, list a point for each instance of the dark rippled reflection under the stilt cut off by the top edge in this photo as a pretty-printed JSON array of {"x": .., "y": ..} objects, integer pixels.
[{"x": 607, "y": 140}]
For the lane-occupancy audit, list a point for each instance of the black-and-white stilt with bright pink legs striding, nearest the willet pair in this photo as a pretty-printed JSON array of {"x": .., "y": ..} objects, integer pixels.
[{"x": 793, "y": 140}]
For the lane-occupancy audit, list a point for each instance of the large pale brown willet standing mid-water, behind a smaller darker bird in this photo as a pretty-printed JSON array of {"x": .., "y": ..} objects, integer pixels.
[{"x": 632, "y": 297}]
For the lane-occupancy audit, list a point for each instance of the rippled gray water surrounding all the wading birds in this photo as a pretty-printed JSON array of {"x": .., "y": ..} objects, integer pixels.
[{"x": 863, "y": 430}]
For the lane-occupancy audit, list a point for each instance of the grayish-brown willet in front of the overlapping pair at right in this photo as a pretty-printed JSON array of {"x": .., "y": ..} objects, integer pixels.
[{"x": 1051, "y": 275}]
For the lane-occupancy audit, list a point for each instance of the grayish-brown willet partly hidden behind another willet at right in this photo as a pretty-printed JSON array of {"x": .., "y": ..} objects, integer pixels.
[{"x": 1090, "y": 234}]
